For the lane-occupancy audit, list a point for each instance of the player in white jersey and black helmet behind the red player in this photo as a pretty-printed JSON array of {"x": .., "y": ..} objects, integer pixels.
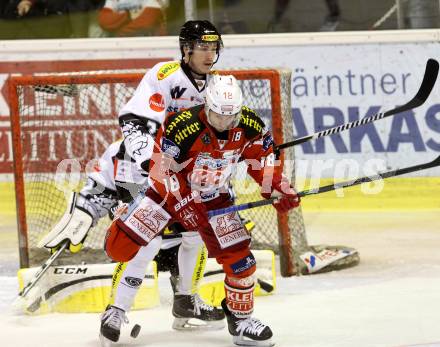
[{"x": 169, "y": 87}]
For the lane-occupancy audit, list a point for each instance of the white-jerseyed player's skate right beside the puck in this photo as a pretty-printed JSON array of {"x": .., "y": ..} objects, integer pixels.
[{"x": 111, "y": 321}]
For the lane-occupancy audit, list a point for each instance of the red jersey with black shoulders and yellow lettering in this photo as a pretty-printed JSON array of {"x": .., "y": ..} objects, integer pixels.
[{"x": 203, "y": 159}]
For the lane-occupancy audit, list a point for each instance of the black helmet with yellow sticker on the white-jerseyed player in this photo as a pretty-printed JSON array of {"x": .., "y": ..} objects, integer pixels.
[{"x": 199, "y": 31}]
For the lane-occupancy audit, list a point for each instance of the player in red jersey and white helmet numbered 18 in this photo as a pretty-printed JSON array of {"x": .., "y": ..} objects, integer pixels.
[{"x": 196, "y": 155}]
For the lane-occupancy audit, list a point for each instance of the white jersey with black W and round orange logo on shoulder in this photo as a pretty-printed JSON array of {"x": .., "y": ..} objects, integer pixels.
[{"x": 166, "y": 88}]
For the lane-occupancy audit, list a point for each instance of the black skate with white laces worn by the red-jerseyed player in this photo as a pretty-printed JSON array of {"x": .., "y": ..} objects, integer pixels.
[{"x": 247, "y": 331}]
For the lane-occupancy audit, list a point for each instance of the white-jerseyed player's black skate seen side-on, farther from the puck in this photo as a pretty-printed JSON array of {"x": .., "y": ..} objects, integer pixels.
[{"x": 192, "y": 313}]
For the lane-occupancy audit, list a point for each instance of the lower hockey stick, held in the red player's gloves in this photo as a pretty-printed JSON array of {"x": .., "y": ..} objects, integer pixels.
[{"x": 330, "y": 187}]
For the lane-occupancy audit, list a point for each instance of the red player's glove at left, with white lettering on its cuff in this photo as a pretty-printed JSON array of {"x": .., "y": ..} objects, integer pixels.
[{"x": 189, "y": 211}]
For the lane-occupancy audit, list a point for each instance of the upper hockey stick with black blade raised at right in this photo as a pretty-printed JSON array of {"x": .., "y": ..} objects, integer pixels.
[{"x": 429, "y": 78}]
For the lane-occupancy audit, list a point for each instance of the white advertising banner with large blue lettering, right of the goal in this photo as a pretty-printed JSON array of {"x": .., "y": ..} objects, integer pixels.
[{"x": 336, "y": 84}]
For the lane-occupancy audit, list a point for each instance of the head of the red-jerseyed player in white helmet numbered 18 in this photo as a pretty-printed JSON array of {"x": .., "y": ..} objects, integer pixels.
[{"x": 225, "y": 99}]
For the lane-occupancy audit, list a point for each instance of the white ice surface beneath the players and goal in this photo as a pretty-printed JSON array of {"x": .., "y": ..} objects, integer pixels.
[{"x": 391, "y": 299}]
